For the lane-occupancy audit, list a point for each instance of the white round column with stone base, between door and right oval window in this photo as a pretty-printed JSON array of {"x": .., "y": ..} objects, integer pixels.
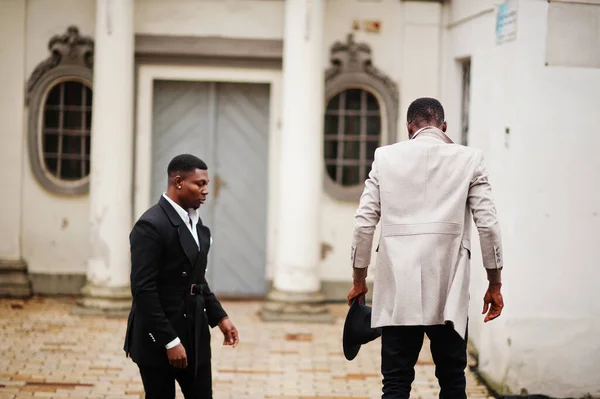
[{"x": 295, "y": 295}]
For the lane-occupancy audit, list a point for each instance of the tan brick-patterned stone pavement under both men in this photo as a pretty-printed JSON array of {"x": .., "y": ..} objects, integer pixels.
[{"x": 45, "y": 351}]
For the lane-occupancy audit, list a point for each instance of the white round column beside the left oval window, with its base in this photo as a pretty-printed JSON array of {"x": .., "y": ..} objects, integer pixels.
[{"x": 107, "y": 286}]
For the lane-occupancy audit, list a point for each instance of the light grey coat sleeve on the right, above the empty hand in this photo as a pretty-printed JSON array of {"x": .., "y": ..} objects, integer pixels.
[{"x": 484, "y": 215}]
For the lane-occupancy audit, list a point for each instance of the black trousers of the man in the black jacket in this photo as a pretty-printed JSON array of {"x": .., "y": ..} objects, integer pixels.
[{"x": 159, "y": 383}]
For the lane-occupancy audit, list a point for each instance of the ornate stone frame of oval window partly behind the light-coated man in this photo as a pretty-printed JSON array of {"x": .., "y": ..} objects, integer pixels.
[{"x": 352, "y": 68}]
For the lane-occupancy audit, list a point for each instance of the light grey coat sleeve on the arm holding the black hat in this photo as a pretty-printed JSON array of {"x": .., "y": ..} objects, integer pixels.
[{"x": 365, "y": 221}]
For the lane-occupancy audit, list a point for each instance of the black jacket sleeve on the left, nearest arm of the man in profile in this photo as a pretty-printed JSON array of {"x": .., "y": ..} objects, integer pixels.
[{"x": 146, "y": 250}]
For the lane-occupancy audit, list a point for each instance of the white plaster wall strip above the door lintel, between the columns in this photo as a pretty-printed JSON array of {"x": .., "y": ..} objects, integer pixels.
[{"x": 227, "y": 18}]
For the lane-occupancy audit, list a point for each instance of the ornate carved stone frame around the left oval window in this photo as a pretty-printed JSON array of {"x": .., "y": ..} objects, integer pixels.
[{"x": 71, "y": 59}]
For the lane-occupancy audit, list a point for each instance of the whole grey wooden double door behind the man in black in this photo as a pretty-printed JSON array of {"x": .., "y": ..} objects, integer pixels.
[{"x": 226, "y": 125}]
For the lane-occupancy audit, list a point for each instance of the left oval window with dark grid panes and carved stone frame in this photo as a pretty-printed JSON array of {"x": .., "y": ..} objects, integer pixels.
[{"x": 60, "y": 115}]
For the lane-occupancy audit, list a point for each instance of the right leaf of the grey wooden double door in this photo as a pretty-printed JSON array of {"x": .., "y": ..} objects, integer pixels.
[{"x": 241, "y": 209}]
